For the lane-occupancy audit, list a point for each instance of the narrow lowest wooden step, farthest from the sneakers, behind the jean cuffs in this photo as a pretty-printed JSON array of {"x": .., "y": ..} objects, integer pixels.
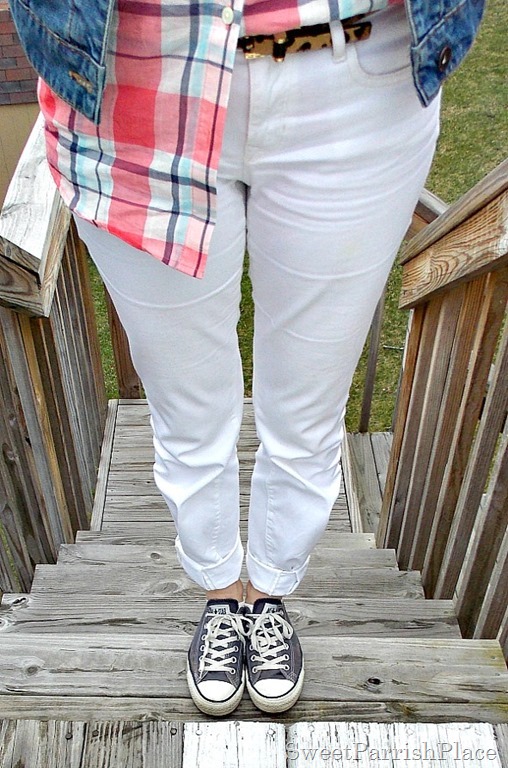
[{"x": 150, "y": 538}]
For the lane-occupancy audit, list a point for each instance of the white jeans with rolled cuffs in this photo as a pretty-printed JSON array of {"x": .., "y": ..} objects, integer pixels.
[{"x": 323, "y": 160}]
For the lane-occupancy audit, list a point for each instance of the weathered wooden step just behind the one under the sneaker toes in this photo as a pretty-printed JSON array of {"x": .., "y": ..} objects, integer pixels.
[{"x": 315, "y": 617}]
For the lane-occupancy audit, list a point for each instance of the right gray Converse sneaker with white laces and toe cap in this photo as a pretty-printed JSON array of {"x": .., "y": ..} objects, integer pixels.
[{"x": 274, "y": 657}]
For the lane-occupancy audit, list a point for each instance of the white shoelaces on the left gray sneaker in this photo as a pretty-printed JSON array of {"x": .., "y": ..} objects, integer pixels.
[{"x": 221, "y": 641}]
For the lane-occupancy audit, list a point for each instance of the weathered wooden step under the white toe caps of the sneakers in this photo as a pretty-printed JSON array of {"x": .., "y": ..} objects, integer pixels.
[{"x": 400, "y": 671}]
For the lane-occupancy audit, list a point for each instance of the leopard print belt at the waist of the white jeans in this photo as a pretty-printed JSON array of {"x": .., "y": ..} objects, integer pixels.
[{"x": 303, "y": 39}]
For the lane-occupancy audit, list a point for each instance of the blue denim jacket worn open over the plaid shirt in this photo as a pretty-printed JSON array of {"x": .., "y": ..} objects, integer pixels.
[{"x": 66, "y": 42}]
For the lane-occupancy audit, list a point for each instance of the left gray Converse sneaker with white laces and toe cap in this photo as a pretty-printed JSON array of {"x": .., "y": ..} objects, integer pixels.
[{"x": 215, "y": 662}]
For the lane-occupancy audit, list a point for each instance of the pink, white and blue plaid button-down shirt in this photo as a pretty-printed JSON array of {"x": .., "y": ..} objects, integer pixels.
[{"x": 148, "y": 172}]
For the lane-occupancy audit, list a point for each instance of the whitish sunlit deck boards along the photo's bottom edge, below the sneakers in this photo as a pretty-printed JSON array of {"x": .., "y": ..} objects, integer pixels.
[{"x": 154, "y": 744}]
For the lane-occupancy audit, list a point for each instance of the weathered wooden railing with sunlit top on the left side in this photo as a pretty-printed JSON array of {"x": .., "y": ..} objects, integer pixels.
[{"x": 51, "y": 383}]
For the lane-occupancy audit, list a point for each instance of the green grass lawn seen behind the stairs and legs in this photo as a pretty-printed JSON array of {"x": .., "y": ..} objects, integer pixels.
[{"x": 474, "y": 139}]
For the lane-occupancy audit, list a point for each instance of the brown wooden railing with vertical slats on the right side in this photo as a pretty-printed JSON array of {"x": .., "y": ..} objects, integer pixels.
[{"x": 445, "y": 508}]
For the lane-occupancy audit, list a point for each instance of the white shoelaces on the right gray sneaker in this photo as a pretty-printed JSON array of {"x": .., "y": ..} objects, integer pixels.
[{"x": 268, "y": 634}]
